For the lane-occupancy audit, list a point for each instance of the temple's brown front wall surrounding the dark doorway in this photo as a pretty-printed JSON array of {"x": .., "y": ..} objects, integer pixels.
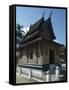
[{"x": 46, "y": 47}]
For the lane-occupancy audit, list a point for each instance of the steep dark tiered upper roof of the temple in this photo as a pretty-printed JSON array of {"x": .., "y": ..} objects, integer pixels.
[{"x": 36, "y": 30}]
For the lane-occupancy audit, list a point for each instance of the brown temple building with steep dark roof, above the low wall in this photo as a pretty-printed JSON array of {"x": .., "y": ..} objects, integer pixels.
[{"x": 38, "y": 45}]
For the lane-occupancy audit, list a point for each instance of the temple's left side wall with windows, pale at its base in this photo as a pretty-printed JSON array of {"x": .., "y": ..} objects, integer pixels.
[{"x": 36, "y": 57}]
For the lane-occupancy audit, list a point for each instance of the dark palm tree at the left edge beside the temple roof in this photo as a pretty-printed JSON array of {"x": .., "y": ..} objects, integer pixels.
[{"x": 19, "y": 34}]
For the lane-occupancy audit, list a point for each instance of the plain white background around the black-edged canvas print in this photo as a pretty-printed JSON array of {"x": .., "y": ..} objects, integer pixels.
[{"x": 4, "y": 44}]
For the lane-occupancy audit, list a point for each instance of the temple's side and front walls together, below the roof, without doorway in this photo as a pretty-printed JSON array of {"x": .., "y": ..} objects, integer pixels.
[{"x": 42, "y": 57}]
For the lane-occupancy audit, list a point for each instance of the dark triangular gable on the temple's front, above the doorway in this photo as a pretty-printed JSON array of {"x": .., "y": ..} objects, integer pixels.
[{"x": 47, "y": 30}]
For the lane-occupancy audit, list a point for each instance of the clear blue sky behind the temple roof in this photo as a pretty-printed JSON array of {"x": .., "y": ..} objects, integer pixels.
[{"x": 27, "y": 16}]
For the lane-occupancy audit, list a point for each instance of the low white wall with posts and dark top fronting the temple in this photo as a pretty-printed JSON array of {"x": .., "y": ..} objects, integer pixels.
[{"x": 41, "y": 73}]
